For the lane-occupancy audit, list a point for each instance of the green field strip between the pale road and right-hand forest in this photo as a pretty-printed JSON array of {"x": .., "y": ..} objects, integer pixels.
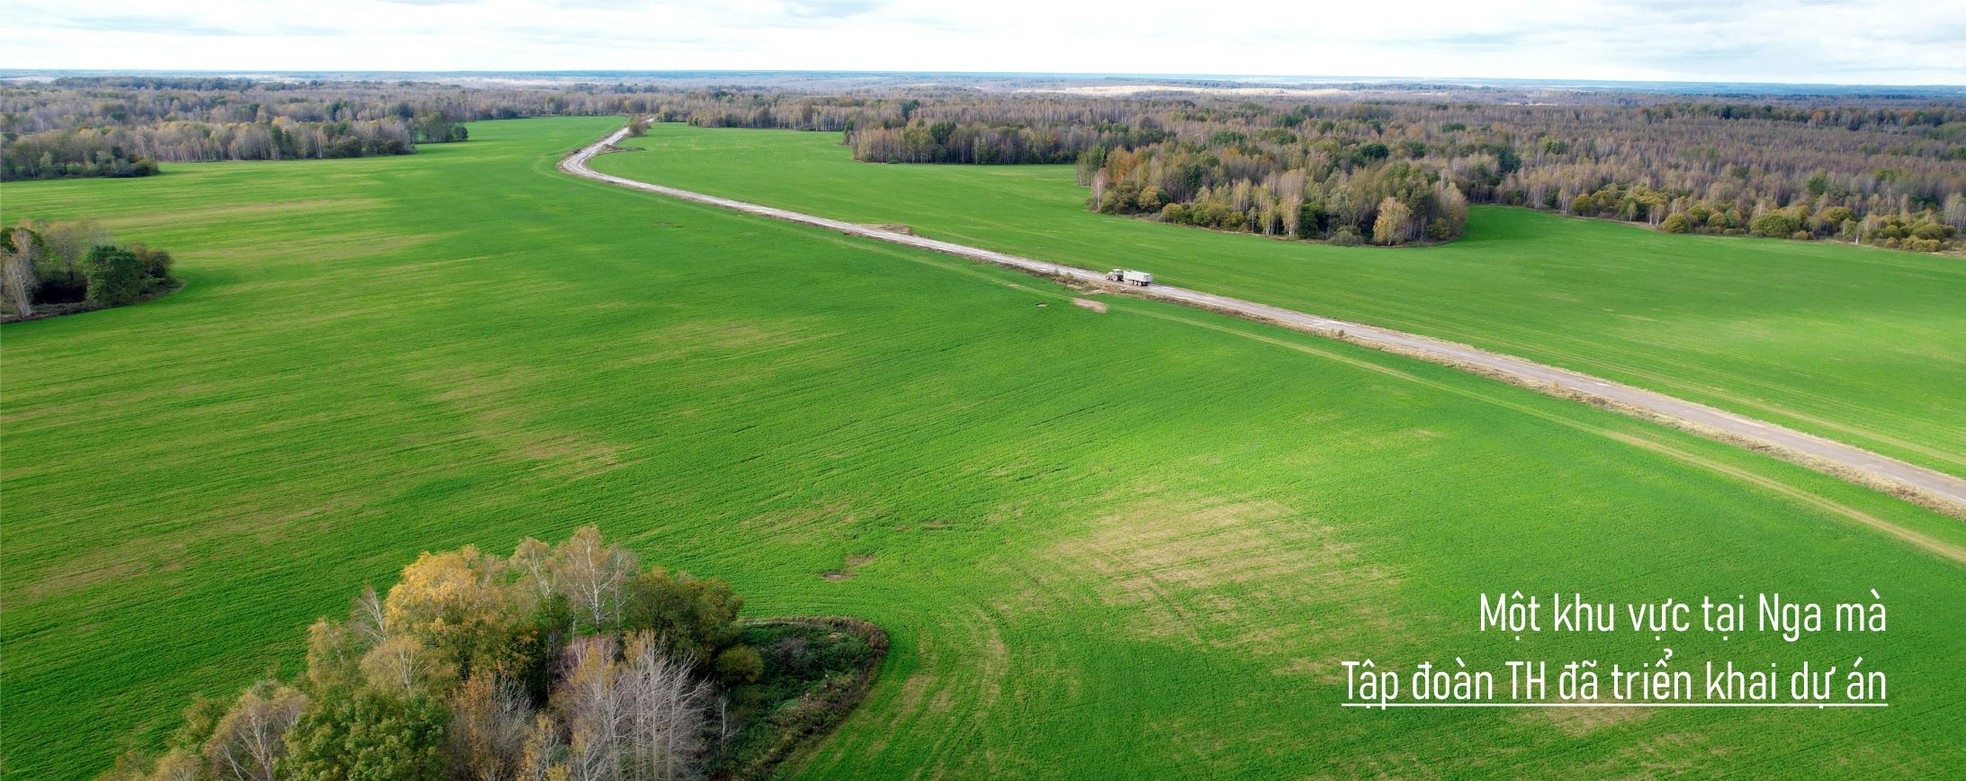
[{"x": 1849, "y": 343}]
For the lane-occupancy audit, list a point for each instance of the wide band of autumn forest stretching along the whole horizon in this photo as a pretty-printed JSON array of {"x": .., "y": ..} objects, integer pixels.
[{"x": 1350, "y": 166}]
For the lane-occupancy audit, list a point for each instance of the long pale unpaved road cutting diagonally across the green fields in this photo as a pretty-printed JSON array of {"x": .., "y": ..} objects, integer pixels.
[{"x": 1808, "y": 450}]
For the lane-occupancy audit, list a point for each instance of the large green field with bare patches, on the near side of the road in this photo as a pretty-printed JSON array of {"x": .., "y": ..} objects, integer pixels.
[{"x": 1106, "y": 546}]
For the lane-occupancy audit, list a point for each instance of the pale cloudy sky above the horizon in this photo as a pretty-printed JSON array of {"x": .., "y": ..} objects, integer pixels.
[{"x": 1871, "y": 42}]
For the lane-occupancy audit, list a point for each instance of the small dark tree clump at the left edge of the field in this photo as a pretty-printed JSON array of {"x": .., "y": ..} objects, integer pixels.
[{"x": 60, "y": 269}]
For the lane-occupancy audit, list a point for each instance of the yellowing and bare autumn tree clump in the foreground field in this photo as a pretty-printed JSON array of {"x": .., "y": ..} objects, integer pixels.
[{"x": 559, "y": 662}]
